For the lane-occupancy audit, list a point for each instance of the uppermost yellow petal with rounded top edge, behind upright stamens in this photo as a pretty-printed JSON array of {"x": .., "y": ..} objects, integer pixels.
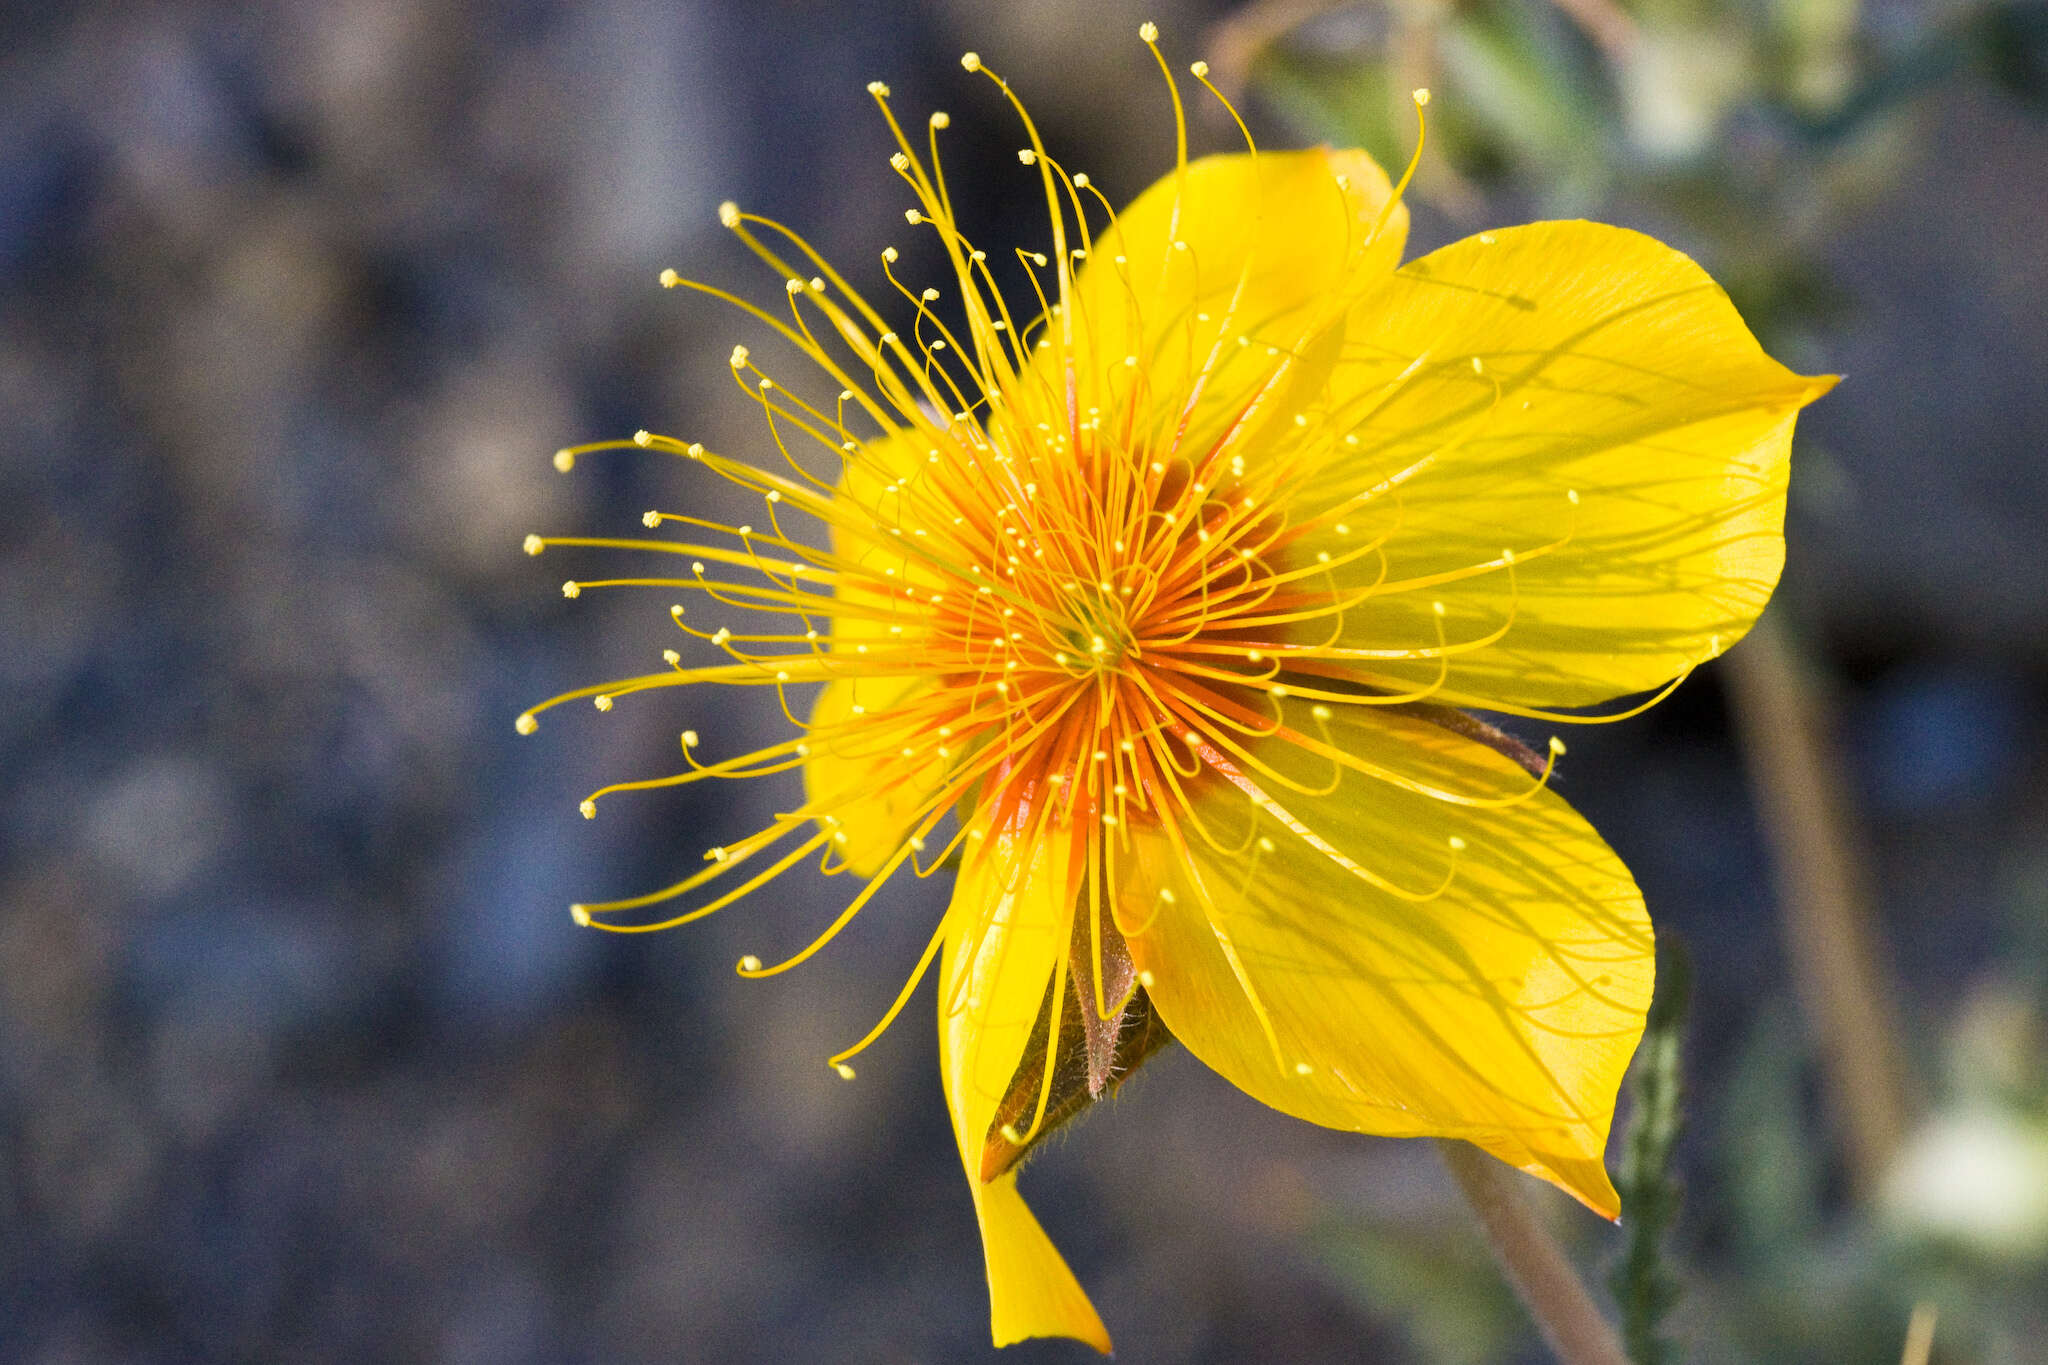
[{"x": 1238, "y": 247}]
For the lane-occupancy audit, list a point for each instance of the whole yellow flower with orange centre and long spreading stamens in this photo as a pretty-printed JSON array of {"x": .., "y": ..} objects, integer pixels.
[{"x": 1154, "y": 607}]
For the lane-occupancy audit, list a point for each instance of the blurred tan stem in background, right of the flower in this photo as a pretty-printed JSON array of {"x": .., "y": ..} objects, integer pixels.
[{"x": 1844, "y": 989}]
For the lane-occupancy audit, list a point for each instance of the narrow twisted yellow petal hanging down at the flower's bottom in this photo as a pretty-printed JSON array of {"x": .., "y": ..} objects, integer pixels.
[{"x": 1005, "y": 934}]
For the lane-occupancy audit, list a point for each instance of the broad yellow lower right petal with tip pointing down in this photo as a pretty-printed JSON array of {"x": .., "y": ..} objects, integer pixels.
[{"x": 1299, "y": 949}]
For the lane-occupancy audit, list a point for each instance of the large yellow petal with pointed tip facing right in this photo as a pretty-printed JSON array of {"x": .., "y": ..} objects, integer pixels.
[{"x": 1609, "y": 367}]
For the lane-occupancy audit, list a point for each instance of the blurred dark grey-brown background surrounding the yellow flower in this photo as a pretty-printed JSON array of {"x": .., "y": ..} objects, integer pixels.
[{"x": 302, "y": 1057}]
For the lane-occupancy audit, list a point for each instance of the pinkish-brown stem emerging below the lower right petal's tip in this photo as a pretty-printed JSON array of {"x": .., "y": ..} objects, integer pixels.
[{"x": 1529, "y": 1256}]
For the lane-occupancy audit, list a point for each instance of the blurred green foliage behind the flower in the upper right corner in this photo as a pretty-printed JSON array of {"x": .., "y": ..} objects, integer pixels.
[{"x": 1754, "y": 124}]
